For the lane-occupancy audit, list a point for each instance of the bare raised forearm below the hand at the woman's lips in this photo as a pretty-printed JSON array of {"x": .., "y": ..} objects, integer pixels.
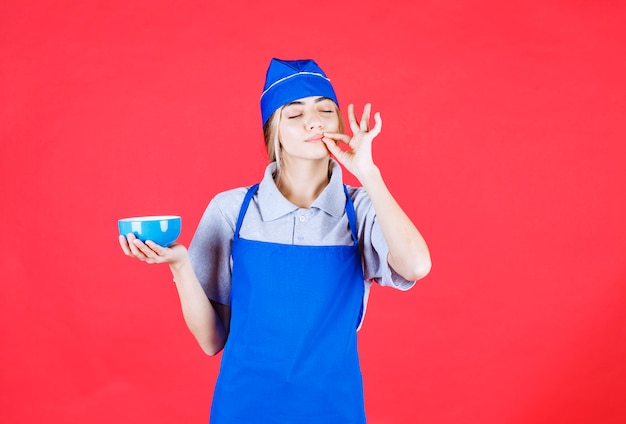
[{"x": 408, "y": 252}]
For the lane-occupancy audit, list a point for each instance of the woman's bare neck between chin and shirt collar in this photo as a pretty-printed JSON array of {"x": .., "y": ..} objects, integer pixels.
[{"x": 301, "y": 182}]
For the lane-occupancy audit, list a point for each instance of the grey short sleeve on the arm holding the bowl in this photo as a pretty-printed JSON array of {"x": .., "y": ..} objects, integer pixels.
[{"x": 210, "y": 248}]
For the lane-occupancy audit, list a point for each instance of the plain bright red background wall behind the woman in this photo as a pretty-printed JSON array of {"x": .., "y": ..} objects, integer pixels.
[{"x": 503, "y": 139}]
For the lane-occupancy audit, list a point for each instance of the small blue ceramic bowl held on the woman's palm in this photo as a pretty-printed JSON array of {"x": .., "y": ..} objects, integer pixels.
[{"x": 163, "y": 230}]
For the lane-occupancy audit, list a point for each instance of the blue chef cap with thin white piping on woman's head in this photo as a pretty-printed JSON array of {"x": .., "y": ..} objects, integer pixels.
[{"x": 289, "y": 80}]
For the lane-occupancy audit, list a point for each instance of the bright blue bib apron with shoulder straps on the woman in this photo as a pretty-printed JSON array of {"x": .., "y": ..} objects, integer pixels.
[{"x": 291, "y": 355}]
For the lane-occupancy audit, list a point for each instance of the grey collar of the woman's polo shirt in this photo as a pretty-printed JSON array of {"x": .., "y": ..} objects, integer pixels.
[{"x": 273, "y": 204}]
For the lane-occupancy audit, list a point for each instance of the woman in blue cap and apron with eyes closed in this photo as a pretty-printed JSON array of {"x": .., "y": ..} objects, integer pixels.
[{"x": 278, "y": 274}]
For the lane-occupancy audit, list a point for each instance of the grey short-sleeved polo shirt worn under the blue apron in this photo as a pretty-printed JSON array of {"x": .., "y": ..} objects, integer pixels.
[{"x": 273, "y": 218}]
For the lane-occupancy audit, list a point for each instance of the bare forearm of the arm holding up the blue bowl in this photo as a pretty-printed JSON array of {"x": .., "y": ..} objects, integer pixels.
[{"x": 200, "y": 316}]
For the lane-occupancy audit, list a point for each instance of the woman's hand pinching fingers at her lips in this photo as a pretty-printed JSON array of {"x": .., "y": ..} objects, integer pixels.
[{"x": 357, "y": 158}]
